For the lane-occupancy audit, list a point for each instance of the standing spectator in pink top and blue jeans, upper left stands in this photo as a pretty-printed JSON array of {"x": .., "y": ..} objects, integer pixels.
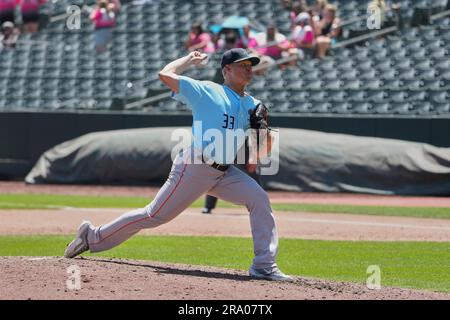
[{"x": 104, "y": 19}]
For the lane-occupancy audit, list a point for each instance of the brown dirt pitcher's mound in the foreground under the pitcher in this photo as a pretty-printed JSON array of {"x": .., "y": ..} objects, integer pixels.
[{"x": 49, "y": 277}]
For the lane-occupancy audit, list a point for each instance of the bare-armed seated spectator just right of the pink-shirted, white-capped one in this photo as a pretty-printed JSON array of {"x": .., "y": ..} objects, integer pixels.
[{"x": 329, "y": 30}]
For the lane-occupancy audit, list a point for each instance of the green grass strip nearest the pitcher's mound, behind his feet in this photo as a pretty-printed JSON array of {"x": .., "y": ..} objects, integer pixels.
[{"x": 419, "y": 265}]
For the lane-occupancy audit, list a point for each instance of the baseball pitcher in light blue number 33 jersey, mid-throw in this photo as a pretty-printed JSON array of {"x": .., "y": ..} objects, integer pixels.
[{"x": 222, "y": 109}]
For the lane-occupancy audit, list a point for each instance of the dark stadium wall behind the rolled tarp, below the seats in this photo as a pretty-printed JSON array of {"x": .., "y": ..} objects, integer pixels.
[{"x": 24, "y": 136}]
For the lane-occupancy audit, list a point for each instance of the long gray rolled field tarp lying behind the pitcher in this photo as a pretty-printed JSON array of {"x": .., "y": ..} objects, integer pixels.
[{"x": 309, "y": 161}]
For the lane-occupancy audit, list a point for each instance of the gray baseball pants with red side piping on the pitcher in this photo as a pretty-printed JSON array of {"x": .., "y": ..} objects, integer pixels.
[{"x": 186, "y": 183}]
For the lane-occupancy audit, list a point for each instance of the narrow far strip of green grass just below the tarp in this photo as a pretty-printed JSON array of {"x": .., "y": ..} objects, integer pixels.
[{"x": 45, "y": 201}]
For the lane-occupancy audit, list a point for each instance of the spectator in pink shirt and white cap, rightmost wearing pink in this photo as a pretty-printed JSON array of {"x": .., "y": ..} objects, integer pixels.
[{"x": 303, "y": 35}]
